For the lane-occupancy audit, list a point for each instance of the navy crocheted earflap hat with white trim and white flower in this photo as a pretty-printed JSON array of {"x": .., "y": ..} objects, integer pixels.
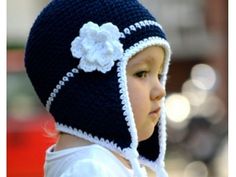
[{"x": 76, "y": 58}]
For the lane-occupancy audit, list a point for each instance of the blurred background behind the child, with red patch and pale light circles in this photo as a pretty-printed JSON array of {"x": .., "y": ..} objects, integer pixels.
[{"x": 197, "y": 88}]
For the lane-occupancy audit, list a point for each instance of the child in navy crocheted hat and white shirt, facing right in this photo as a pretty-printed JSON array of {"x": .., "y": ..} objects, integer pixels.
[{"x": 99, "y": 67}]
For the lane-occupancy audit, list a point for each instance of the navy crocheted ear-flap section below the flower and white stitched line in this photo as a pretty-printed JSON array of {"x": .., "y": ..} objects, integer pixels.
[{"x": 97, "y": 104}]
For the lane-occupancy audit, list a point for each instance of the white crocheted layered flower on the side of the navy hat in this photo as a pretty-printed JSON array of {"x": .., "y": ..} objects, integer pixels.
[{"x": 97, "y": 47}]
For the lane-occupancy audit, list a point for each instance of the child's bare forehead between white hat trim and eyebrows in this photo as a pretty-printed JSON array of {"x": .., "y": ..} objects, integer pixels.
[{"x": 152, "y": 54}]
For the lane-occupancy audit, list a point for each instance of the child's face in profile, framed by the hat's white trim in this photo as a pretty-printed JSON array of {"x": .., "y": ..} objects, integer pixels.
[{"x": 145, "y": 90}]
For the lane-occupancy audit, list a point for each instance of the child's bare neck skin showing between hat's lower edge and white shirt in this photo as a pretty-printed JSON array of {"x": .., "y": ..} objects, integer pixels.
[{"x": 68, "y": 141}]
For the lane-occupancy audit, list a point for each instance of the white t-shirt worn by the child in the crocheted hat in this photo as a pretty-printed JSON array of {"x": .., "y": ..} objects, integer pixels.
[{"x": 86, "y": 161}]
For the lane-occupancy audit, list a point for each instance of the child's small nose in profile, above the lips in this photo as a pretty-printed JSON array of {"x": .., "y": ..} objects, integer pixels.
[{"x": 157, "y": 91}]
